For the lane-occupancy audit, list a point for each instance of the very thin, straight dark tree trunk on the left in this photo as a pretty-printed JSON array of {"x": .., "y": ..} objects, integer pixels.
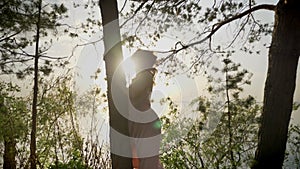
[{"x": 33, "y": 158}]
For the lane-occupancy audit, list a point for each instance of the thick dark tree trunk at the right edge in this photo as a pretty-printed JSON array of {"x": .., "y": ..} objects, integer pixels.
[{"x": 280, "y": 86}]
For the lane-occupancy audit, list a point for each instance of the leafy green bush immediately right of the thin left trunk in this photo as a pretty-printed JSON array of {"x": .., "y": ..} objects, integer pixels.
[{"x": 58, "y": 136}]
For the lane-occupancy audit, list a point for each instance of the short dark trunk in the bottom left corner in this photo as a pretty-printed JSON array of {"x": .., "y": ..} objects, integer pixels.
[{"x": 9, "y": 153}]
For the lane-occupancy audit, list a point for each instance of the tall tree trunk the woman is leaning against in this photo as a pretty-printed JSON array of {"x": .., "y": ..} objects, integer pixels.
[{"x": 113, "y": 57}]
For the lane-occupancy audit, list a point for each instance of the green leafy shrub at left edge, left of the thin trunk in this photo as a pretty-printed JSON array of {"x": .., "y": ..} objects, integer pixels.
[{"x": 14, "y": 119}]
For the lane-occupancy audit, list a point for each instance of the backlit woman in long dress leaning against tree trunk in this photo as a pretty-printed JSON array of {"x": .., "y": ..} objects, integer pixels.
[{"x": 144, "y": 124}]
